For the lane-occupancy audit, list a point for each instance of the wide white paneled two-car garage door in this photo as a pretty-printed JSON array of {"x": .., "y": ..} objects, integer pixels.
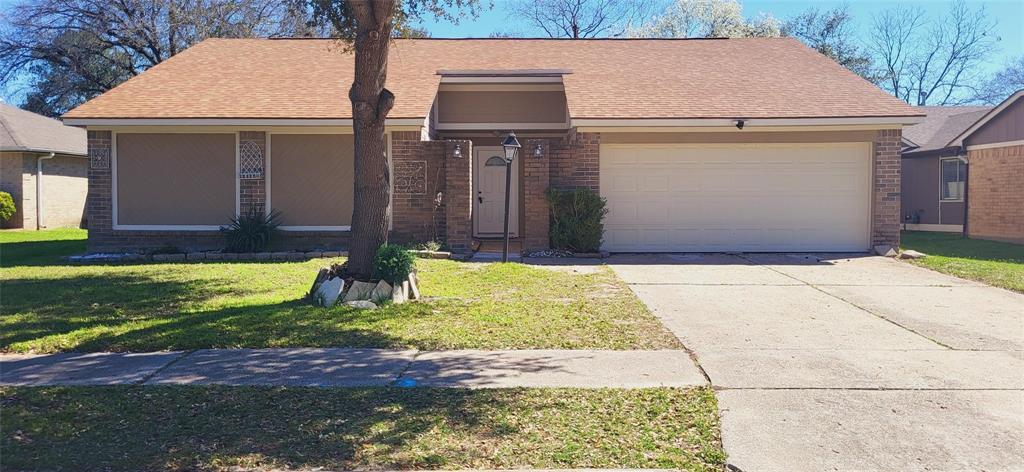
[{"x": 678, "y": 198}]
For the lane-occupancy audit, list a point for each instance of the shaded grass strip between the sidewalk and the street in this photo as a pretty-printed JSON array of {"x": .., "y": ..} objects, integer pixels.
[{"x": 221, "y": 428}]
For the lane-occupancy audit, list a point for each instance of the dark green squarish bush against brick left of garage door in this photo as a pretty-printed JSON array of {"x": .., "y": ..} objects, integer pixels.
[{"x": 577, "y": 220}]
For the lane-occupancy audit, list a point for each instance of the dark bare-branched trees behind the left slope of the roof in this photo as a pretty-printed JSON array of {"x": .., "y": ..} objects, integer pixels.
[{"x": 72, "y": 51}]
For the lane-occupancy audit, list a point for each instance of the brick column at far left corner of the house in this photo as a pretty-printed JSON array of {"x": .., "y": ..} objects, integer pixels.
[{"x": 100, "y": 200}]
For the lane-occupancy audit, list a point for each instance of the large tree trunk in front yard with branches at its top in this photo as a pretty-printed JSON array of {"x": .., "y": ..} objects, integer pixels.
[{"x": 368, "y": 27}]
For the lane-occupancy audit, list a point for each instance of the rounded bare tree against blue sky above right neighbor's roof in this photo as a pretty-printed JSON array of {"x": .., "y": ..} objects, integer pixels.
[{"x": 927, "y": 62}]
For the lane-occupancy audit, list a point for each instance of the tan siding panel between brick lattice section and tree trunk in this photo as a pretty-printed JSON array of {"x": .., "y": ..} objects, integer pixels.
[{"x": 312, "y": 179}]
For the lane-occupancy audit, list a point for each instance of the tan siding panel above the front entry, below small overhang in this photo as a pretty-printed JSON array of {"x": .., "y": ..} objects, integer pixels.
[{"x": 501, "y": 107}]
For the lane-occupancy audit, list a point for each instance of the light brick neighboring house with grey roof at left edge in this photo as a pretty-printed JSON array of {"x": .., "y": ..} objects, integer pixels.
[{"x": 44, "y": 166}]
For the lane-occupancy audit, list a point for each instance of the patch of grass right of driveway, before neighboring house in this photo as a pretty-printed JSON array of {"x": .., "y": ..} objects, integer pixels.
[{"x": 1000, "y": 265}]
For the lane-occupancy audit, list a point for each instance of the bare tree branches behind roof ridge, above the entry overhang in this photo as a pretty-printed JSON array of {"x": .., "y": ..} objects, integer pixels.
[{"x": 581, "y": 19}]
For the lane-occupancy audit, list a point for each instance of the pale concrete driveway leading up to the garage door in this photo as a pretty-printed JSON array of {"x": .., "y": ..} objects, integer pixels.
[{"x": 852, "y": 364}]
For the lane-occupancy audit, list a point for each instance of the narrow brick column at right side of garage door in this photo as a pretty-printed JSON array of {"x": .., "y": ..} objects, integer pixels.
[{"x": 886, "y": 211}]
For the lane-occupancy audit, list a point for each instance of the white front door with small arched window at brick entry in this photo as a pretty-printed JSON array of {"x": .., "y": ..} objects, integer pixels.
[{"x": 489, "y": 194}]
